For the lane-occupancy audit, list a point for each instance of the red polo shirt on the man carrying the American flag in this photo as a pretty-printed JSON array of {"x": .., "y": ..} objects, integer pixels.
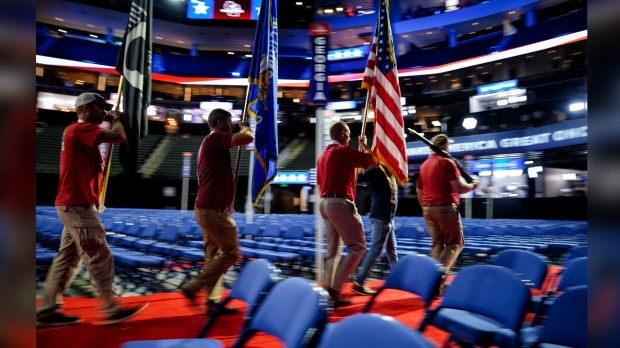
[{"x": 335, "y": 173}]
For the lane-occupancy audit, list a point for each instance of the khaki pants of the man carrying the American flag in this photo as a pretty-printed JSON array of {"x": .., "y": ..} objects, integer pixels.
[{"x": 342, "y": 224}]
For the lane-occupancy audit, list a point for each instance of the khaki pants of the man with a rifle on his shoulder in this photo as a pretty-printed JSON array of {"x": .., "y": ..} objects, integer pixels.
[{"x": 444, "y": 227}]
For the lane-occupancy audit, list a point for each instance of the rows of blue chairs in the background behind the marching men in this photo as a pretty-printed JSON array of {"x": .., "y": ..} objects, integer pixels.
[{"x": 143, "y": 239}]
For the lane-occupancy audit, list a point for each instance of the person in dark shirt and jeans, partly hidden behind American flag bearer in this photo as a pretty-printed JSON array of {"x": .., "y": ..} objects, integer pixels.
[{"x": 384, "y": 200}]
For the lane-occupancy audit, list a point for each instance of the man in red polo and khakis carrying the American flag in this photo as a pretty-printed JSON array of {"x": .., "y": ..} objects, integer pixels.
[{"x": 337, "y": 179}]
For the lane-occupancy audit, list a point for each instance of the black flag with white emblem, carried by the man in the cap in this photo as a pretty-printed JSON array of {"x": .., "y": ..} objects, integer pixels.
[{"x": 134, "y": 64}]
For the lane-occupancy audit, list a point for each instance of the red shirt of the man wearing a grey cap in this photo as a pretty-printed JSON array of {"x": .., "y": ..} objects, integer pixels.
[{"x": 81, "y": 166}]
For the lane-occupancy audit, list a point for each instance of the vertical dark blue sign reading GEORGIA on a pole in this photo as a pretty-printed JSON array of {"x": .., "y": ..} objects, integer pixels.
[{"x": 319, "y": 89}]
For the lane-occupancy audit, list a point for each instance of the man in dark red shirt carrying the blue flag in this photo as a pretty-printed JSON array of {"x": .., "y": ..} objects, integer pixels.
[{"x": 213, "y": 208}]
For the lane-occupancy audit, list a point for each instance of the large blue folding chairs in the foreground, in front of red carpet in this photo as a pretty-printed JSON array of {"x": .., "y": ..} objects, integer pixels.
[{"x": 484, "y": 306}]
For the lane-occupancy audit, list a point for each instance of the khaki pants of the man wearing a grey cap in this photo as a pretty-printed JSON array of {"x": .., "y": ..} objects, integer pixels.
[{"x": 82, "y": 240}]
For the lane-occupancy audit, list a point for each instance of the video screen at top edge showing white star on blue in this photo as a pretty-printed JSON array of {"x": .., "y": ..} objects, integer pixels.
[{"x": 223, "y": 9}]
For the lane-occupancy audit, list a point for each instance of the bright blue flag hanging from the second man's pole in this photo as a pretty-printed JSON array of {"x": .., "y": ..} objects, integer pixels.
[{"x": 262, "y": 100}]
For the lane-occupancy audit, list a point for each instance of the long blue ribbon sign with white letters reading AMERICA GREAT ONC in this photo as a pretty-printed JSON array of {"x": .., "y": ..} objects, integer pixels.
[{"x": 532, "y": 139}]
